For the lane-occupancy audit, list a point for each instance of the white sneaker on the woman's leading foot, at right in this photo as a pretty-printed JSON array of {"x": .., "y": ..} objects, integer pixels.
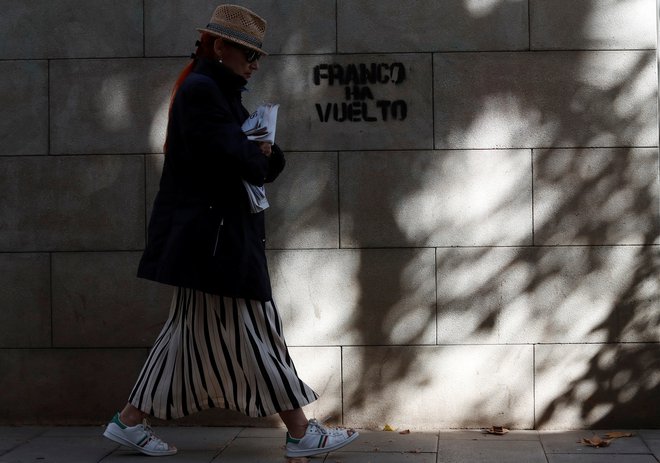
[{"x": 319, "y": 439}]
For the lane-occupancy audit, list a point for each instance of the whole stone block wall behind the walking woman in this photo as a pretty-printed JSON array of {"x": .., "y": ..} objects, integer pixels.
[{"x": 467, "y": 233}]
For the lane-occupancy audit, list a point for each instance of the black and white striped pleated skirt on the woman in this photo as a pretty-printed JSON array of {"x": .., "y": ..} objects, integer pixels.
[{"x": 219, "y": 352}]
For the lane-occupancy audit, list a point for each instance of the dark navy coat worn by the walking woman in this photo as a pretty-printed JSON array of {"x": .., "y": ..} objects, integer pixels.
[{"x": 202, "y": 234}]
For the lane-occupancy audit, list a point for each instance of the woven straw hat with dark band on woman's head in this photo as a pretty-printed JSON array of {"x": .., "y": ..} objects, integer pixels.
[{"x": 238, "y": 25}]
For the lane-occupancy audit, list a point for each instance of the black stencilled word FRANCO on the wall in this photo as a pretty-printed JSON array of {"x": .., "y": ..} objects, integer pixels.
[{"x": 360, "y": 74}]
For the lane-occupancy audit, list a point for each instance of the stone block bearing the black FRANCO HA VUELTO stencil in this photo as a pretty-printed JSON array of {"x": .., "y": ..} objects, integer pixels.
[{"x": 349, "y": 102}]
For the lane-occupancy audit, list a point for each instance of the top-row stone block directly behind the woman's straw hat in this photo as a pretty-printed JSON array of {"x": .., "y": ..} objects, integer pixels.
[{"x": 295, "y": 26}]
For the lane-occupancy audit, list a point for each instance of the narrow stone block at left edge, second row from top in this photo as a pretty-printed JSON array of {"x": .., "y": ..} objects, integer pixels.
[{"x": 24, "y": 103}]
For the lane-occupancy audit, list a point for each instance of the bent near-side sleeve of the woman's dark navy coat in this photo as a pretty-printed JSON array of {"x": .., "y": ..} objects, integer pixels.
[{"x": 211, "y": 133}]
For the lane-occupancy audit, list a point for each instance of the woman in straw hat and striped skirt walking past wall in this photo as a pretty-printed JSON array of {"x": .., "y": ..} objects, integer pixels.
[{"x": 222, "y": 344}]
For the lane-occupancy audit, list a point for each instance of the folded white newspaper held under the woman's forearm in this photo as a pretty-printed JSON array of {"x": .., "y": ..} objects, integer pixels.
[{"x": 260, "y": 126}]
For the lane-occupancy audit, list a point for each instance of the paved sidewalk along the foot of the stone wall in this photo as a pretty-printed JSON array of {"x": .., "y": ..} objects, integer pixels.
[{"x": 262, "y": 445}]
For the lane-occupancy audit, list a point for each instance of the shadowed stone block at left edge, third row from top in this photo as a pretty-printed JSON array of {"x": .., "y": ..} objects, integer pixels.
[{"x": 71, "y": 203}]
